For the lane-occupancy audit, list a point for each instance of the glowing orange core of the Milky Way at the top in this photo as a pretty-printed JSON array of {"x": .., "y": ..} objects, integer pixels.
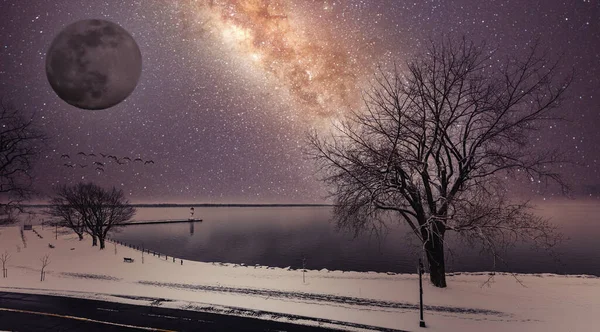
[{"x": 320, "y": 71}]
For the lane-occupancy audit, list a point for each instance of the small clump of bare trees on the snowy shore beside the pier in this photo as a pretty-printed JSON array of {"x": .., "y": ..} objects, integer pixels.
[{"x": 99, "y": 210}]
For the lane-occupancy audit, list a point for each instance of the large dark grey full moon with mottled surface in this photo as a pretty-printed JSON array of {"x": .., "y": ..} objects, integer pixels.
[{"x": 93, "y": 64}]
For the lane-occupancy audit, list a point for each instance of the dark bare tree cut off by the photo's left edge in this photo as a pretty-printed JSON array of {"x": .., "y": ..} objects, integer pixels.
[{"x": 20, "y": 140}]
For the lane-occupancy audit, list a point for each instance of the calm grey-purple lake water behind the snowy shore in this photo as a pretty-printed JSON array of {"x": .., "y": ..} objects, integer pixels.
[{"x": 282, "y": 236}]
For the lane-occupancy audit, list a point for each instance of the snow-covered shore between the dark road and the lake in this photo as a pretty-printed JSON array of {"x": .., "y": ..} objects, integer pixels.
[{"x": 348, "y": 300}]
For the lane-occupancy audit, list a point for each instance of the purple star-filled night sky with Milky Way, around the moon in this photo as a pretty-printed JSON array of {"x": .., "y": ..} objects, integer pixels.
[{"x": 229, "y": 88}]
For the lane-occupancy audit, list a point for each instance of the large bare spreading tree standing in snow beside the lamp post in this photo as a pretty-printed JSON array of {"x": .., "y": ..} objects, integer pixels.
[{"x": 436, "y": 147}]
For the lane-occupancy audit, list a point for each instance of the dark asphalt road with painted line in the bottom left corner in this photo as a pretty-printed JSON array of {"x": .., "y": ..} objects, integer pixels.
[{"x": 30, "y": 312}]
